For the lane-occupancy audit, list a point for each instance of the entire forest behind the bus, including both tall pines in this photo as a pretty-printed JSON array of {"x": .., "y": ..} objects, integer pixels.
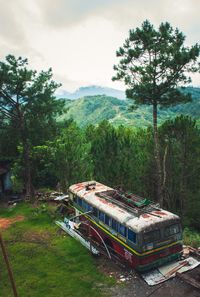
[{"x": 161, "y": 161}]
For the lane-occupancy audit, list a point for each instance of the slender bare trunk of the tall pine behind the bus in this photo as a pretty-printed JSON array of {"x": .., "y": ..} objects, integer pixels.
[{"x": 157, "y": 157}]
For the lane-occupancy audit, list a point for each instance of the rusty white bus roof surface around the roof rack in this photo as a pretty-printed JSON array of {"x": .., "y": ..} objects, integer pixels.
[{"x": 137, "y": 222}]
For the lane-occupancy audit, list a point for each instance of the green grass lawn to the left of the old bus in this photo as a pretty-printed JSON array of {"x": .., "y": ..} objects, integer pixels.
[{"x": 45, "y": 261}]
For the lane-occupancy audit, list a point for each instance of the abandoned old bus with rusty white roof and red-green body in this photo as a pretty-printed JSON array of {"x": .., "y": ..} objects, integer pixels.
[{"x": 134, "y": 228}]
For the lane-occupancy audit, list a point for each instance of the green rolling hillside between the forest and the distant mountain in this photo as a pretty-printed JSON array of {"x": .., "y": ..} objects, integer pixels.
[{"x": 94, "y": 109}]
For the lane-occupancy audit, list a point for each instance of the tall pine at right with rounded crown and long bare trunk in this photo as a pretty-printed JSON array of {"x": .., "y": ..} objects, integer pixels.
[{"x": 153, "y": 64}]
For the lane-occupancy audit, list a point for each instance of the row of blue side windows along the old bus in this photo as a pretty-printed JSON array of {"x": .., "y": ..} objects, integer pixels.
[{"x": 107, "y": 220}]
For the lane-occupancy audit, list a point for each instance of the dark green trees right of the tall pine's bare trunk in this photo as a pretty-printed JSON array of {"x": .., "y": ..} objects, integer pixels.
[{"x": 180, "y": 138}]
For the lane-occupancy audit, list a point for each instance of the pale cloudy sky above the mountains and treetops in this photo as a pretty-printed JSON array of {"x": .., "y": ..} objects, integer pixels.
[{"x": 79, "y": 38}]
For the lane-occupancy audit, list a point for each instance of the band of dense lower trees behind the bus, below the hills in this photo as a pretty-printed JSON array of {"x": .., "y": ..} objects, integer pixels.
[{"x": 121, "y": 157}]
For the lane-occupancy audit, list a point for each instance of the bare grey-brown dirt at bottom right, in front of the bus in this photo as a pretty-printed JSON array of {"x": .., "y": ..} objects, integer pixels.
[{"x": 131, "y": 284}]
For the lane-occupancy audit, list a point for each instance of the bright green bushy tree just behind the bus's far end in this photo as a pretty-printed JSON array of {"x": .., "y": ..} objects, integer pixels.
[{"x": 71, "y": 161}]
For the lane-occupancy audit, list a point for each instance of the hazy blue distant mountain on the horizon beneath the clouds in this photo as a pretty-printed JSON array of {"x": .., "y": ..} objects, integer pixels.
[{"x": 92, "y": 91}]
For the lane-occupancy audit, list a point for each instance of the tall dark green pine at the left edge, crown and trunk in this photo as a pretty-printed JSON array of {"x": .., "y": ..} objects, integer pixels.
[{"x": 27, "y": 102}]
